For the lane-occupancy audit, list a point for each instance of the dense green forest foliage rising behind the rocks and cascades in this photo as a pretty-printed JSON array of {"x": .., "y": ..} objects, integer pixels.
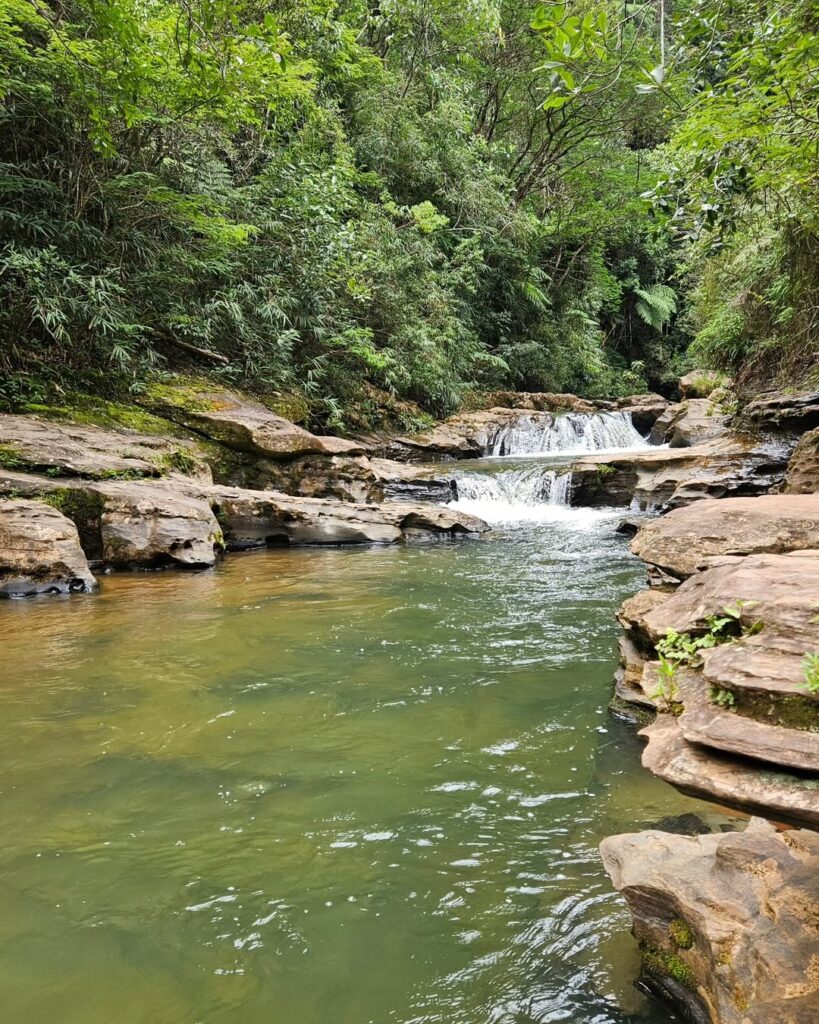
[{"x": 407, "y": 199}]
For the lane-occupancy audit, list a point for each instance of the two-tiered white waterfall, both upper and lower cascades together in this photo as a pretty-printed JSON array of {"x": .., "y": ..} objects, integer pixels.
[{"x": 538, "y": 490}]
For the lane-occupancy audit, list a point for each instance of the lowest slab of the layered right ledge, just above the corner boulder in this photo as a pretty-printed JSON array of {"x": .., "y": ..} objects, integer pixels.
[{"x": 722, "y": 779}]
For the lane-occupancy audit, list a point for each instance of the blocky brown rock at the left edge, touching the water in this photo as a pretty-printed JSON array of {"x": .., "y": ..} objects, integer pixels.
[{"x": 40, "y": 551}]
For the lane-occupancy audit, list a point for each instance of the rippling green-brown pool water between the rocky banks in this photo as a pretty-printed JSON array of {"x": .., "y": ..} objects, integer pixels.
[{"x": 324, "y": 786}]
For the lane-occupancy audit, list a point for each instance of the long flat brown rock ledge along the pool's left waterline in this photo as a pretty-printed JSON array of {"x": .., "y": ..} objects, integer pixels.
[{"x": 177, "y": 523}]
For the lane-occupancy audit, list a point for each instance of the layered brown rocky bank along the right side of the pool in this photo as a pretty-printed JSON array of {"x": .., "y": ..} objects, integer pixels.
[{"x": 721, "y": 657}]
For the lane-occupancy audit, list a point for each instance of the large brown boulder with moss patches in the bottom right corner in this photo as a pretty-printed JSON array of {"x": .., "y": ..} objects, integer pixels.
[{"x": 727, "y": 924}]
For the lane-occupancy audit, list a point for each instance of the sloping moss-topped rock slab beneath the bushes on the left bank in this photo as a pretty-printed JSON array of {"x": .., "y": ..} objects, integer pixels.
[{"x": 242, "y": 423}]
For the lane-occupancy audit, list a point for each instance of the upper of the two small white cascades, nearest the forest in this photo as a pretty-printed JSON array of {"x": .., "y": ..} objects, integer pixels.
[{"x": 575, "y": 434}]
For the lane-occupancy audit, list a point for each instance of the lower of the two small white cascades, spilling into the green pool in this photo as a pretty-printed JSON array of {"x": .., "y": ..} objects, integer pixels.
[{"x": 514, "y": 495}]
